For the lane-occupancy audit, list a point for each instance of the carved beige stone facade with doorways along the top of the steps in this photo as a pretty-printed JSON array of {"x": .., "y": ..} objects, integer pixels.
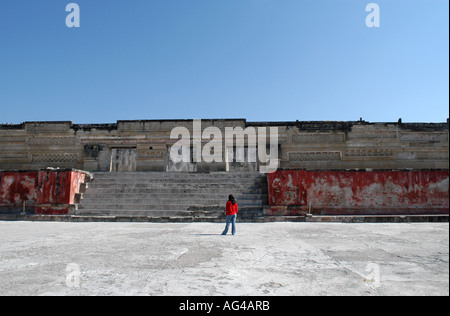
[{"x": 145, "y": 145}]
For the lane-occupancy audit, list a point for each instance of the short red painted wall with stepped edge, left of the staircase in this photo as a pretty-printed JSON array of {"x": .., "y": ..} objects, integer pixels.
[{"x": 43, "y": 191}]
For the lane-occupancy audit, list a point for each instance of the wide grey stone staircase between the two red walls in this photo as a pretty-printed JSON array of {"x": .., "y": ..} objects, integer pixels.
[{"x": 164, "y": 194}]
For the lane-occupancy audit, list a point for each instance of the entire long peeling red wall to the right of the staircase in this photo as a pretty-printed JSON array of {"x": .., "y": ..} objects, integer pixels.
[{"x": 291, "y": 192}]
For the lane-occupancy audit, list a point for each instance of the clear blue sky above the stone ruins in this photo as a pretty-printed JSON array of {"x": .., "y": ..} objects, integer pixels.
[{"x": 263, "y": 60}]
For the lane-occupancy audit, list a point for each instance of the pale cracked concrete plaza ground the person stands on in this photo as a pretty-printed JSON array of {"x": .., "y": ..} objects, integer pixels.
[{"x": 40, "y": 258}]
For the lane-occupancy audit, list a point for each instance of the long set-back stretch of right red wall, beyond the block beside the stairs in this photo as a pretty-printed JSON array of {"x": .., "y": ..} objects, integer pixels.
[{"x": 373, "y": 190}]
